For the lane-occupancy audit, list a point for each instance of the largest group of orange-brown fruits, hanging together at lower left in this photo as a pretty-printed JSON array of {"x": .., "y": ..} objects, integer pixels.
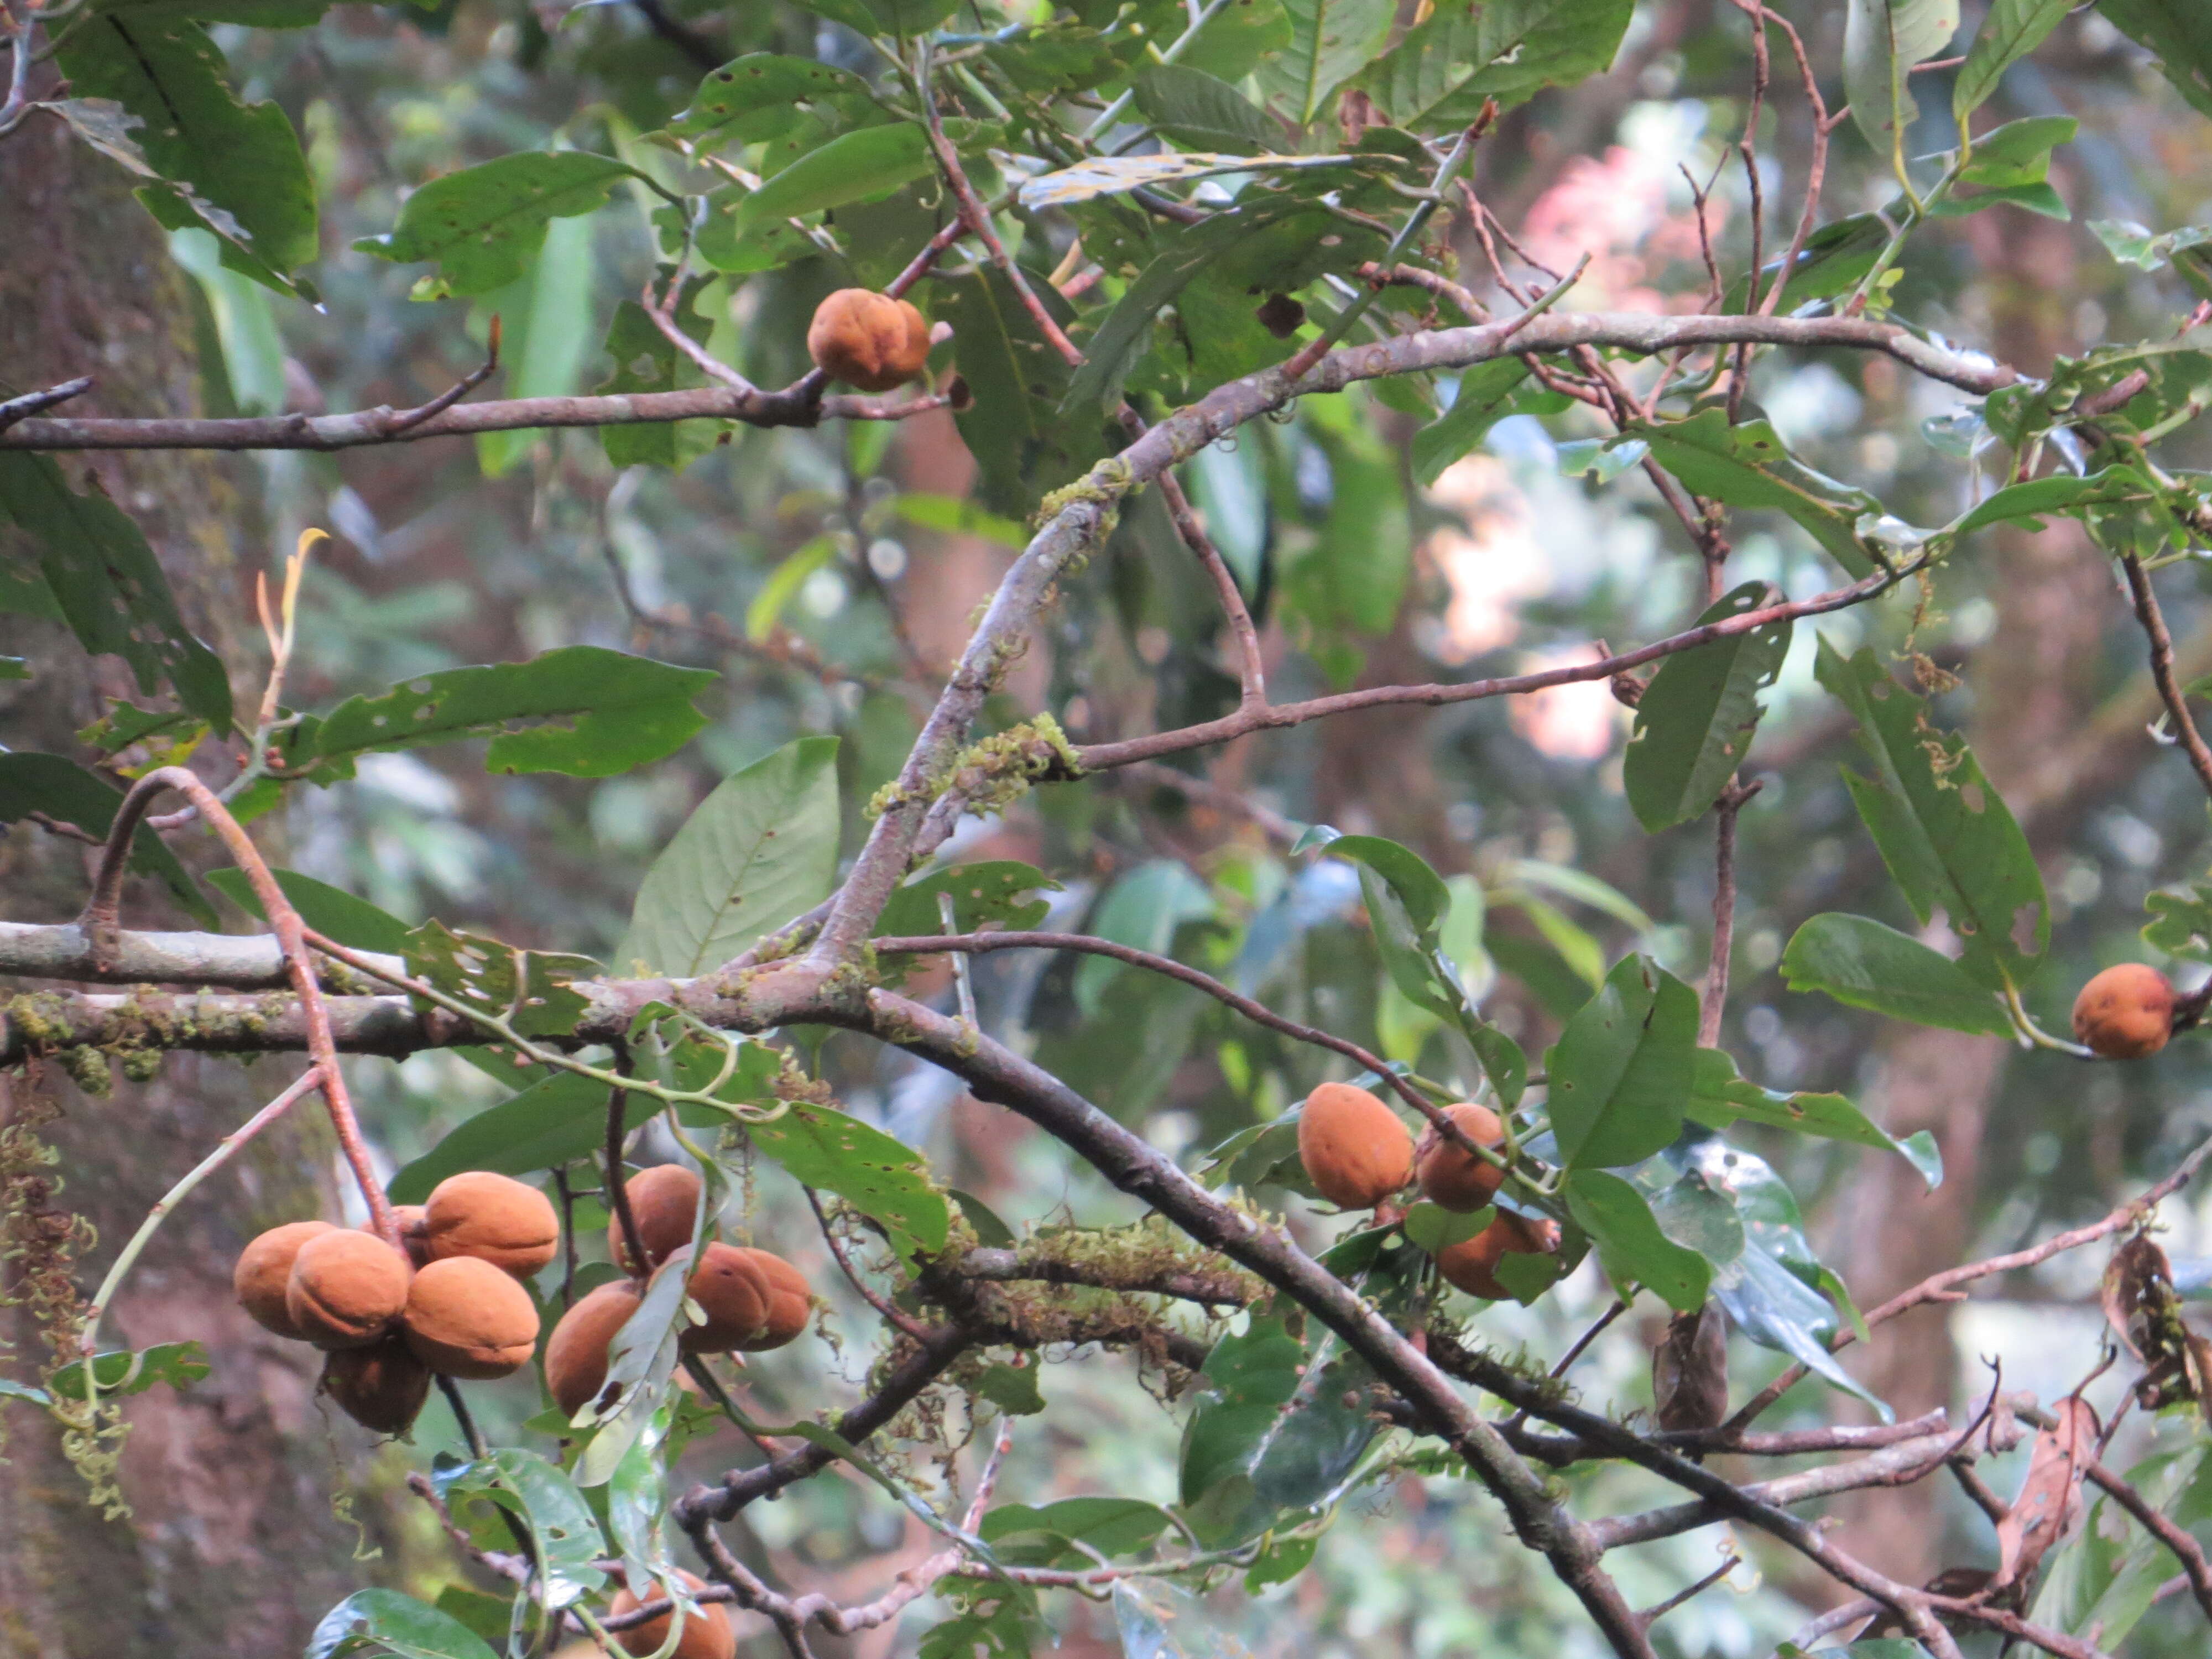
[{"x": 450, "y": 1302}]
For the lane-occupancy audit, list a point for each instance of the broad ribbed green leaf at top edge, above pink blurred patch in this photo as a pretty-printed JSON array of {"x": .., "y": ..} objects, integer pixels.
[{"x": 1503, "y": 50}]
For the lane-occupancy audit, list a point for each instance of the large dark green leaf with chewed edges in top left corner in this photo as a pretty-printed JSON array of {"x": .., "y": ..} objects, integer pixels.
[{"x": 225, "y": 167}]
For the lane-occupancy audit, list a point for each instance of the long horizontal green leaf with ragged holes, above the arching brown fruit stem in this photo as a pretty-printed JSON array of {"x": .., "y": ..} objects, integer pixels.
[{"x": 583, "y": 711}]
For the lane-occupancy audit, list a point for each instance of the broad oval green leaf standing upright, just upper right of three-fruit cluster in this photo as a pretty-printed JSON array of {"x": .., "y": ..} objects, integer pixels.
[{"x": 1620, "y": 1074}]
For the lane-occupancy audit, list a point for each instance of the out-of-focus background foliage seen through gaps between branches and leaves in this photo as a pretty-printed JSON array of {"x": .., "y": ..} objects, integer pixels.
[{"x": 831, "y": 576}]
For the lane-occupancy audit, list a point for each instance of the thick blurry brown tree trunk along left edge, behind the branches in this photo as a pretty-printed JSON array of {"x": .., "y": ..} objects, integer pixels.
[{"x": 231, "y": 1545}]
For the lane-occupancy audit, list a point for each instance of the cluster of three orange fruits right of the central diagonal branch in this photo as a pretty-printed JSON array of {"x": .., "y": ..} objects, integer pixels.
[{"x": 1357, "y": 1154}]
